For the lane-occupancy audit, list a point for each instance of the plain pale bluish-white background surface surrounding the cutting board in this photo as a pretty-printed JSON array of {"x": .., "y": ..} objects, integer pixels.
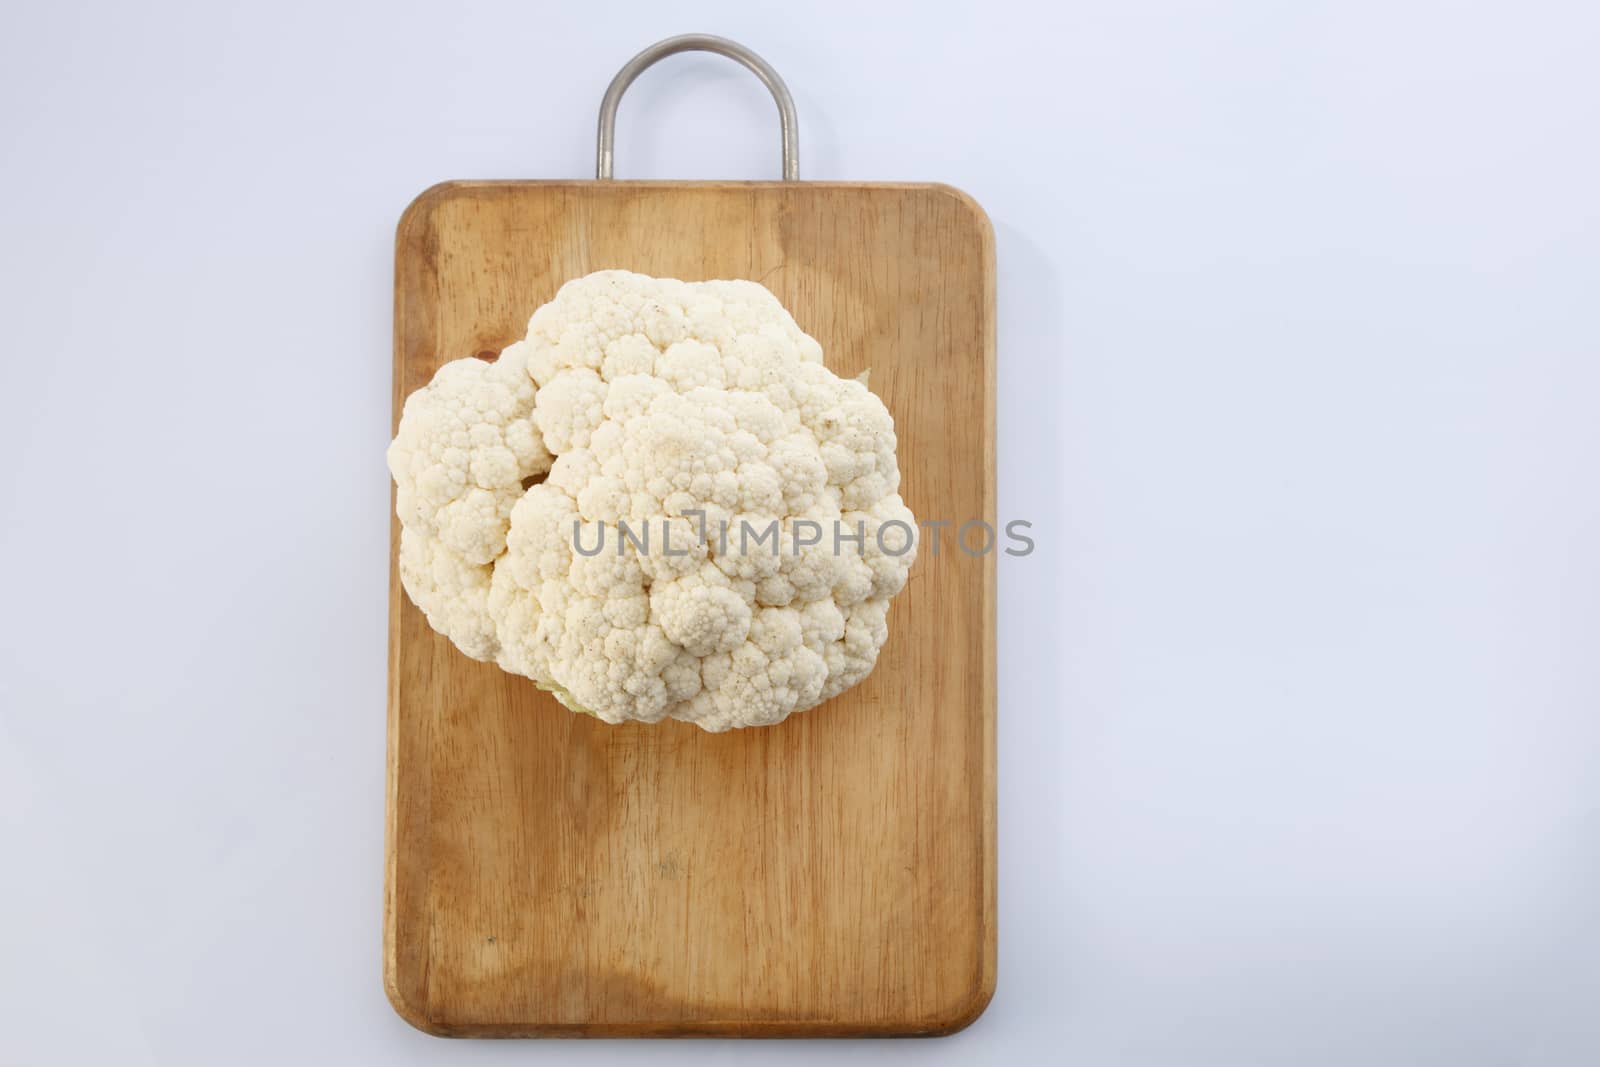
[{"x": 1300, "y": 382}]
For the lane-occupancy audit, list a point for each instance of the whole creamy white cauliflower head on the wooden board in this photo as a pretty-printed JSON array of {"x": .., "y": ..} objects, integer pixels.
[{"x": 719, "y": 533}]
